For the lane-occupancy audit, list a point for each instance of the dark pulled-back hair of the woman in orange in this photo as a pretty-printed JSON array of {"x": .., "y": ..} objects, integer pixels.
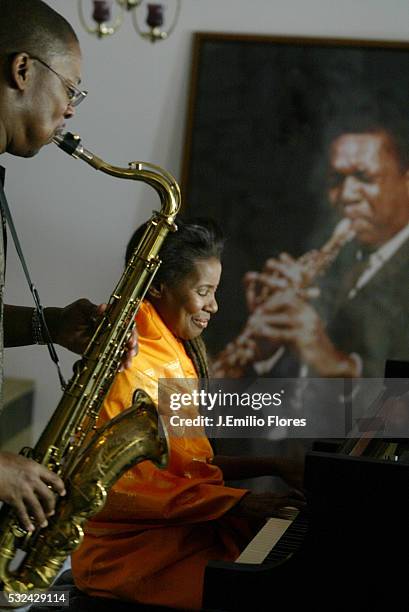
[{"x": 195, "y": 239}]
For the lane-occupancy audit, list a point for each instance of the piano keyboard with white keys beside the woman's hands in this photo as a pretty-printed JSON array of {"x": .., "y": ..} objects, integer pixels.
[{"x": 279, "y": 538}]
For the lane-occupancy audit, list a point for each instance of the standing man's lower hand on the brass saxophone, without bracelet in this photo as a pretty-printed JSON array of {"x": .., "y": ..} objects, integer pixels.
[{"x": 29, "y": 488}]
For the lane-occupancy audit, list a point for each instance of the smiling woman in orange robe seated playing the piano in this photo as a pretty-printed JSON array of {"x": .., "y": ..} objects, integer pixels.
[{"x": 159, "y": 528}]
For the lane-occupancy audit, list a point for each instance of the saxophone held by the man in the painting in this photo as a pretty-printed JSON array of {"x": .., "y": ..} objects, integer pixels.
[{"x": 241, "y": 352}]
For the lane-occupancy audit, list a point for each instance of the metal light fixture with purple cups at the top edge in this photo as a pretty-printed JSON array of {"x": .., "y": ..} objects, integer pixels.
[{"x": 106, "y": 24}]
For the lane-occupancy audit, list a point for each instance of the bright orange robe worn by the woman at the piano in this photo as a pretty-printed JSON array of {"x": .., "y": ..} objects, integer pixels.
[{"x": 159, "y": 528}]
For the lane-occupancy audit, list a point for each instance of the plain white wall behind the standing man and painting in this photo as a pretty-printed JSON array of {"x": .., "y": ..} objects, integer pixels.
[{"x": 73, "y": 223}]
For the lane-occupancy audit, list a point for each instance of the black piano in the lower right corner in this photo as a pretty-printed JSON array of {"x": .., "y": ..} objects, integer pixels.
[{"x": 348, "y": 550}]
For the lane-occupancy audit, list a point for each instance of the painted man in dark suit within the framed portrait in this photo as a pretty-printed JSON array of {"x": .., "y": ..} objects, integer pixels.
[{"x": 359, "y": 319}]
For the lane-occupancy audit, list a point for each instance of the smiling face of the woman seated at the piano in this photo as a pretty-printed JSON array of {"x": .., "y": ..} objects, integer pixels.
[{"x": 187, "y": 307}]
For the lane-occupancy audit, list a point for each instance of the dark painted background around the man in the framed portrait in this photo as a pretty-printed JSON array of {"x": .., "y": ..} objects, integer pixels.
[{"x": 263, "y": 114}]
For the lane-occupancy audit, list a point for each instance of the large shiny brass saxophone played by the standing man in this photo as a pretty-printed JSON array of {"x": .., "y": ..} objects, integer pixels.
[{"x": 90, "y": 460}]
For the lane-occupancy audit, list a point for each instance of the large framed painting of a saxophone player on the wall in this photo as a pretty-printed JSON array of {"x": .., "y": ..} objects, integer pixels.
[{"x": 301, "y": 149}]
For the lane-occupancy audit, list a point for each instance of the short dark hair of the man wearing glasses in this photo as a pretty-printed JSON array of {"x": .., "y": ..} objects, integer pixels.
[{"x": 34, "y": 27}]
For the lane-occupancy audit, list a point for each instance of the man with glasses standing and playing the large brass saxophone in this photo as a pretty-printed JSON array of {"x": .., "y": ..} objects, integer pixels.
[{"x": 40, "y": 73}]
